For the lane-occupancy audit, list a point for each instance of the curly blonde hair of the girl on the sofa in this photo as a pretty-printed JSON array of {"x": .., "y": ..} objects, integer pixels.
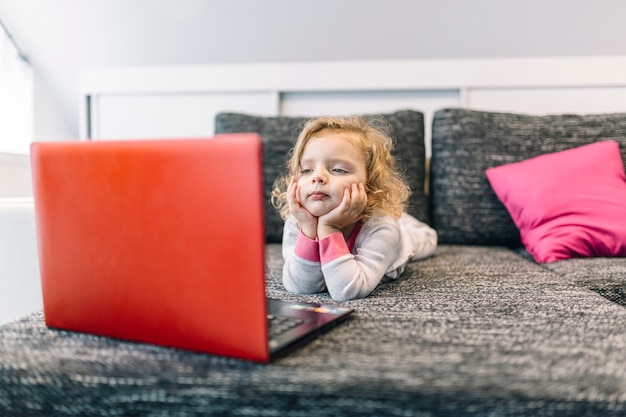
[{"x": 386, "y": 188}]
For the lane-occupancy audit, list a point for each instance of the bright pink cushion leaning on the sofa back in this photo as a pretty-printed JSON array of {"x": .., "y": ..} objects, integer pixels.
[{"x": 567, "y": 204}]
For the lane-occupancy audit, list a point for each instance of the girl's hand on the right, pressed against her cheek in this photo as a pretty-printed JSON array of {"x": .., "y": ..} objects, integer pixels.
[{"x": 348, "y": 212}]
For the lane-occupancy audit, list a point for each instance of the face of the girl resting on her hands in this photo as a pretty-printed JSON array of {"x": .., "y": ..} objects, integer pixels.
[{"x": 330, "y": 164}]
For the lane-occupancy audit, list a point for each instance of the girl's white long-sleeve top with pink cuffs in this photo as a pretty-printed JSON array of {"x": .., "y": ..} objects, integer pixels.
[{"x": 377, "y": 251}]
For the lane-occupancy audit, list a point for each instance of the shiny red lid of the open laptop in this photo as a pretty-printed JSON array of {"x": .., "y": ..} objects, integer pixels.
[{"x": 155, "y": 241}]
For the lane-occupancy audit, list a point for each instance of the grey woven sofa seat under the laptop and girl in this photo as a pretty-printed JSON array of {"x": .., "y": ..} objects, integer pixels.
[{"x": 474, "y": 330}]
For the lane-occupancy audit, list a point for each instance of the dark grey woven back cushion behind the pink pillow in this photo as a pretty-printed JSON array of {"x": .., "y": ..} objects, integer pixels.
[{"x": 464, "y": 208}]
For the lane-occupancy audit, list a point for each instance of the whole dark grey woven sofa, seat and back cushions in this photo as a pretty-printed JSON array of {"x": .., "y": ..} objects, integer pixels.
[{"x": 478, "y": 329}]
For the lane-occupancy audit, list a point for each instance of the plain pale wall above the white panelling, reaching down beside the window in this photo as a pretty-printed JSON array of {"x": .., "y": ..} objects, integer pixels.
[{"x": 64, "y": 36}]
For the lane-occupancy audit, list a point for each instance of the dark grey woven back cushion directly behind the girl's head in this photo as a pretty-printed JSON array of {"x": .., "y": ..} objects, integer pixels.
[{"x": 279, "y": 134}]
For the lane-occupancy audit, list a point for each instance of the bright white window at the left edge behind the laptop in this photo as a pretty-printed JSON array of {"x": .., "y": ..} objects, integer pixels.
[{"x": 16, "y": 97}]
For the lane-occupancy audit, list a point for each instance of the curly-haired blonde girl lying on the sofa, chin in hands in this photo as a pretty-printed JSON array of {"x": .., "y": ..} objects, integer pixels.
[{"x": 343, "y": 202}]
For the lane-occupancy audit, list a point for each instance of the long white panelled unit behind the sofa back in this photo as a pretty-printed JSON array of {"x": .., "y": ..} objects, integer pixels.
[{"x": 181, "y": 101}]
